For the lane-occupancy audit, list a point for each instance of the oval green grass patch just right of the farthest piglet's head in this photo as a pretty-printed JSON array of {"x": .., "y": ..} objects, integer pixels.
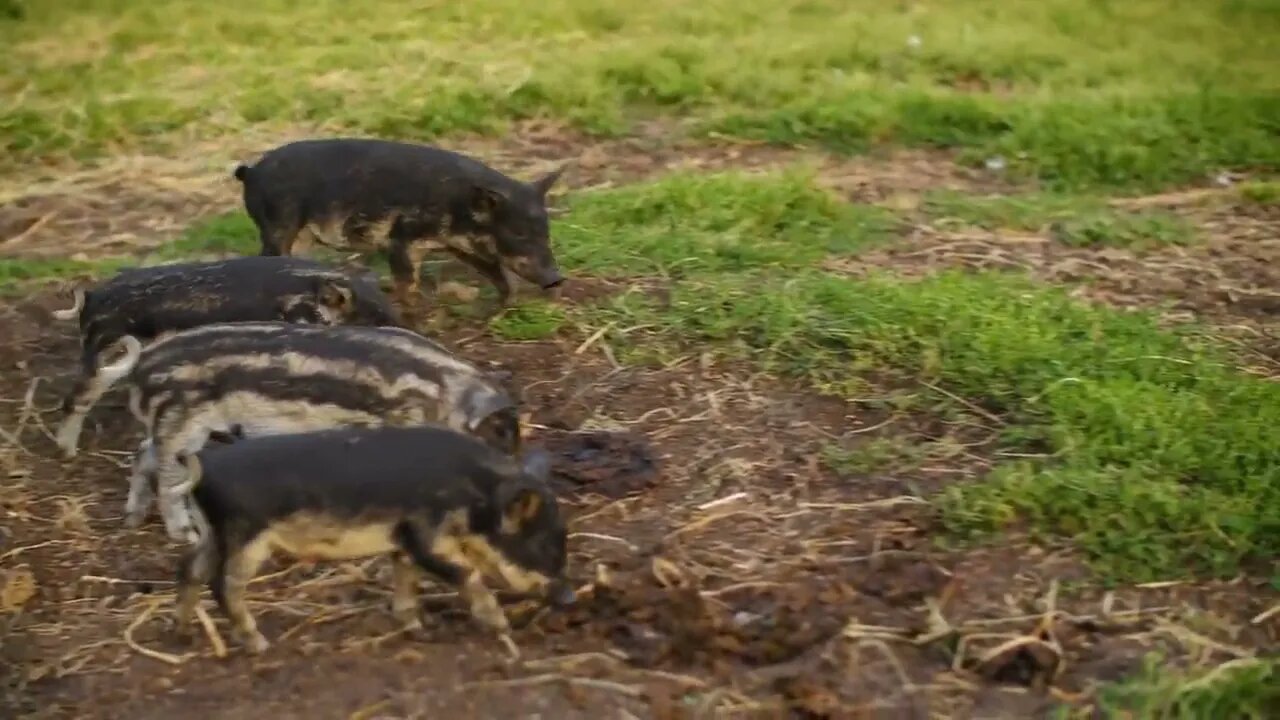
[{"x": 721, "y": 222}]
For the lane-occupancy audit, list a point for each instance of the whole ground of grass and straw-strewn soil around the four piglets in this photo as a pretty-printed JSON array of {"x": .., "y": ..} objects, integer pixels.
[{"x": 976, "y": 304}]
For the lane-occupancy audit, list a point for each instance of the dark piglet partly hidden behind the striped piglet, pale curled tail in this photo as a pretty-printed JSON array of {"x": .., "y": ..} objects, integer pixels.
[{"x": 152, "y": 303}]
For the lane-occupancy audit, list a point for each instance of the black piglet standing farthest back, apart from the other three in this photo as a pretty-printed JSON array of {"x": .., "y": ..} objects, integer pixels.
[{"x": 369, "y": 195}]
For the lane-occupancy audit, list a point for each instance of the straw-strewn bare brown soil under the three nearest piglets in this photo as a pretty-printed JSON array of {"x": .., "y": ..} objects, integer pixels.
[{"x": 746, "y": 578}]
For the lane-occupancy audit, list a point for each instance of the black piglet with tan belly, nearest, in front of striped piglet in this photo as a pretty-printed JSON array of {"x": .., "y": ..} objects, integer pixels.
[{"x": 431, "y": 499}]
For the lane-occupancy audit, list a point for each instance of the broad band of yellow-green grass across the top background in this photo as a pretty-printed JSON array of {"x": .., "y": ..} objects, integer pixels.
[{"x": 1099, "y": 94}]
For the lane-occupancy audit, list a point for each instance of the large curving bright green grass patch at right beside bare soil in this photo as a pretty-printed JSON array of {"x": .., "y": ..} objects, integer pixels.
[{"x": 1160, "y": 459}]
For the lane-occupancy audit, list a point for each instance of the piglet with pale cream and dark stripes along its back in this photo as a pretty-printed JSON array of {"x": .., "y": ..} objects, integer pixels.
[{"x": 252, "y": 380}]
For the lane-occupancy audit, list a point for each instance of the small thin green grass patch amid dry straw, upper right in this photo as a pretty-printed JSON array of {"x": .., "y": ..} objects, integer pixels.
[{"x": 1071, "y": 220}]
